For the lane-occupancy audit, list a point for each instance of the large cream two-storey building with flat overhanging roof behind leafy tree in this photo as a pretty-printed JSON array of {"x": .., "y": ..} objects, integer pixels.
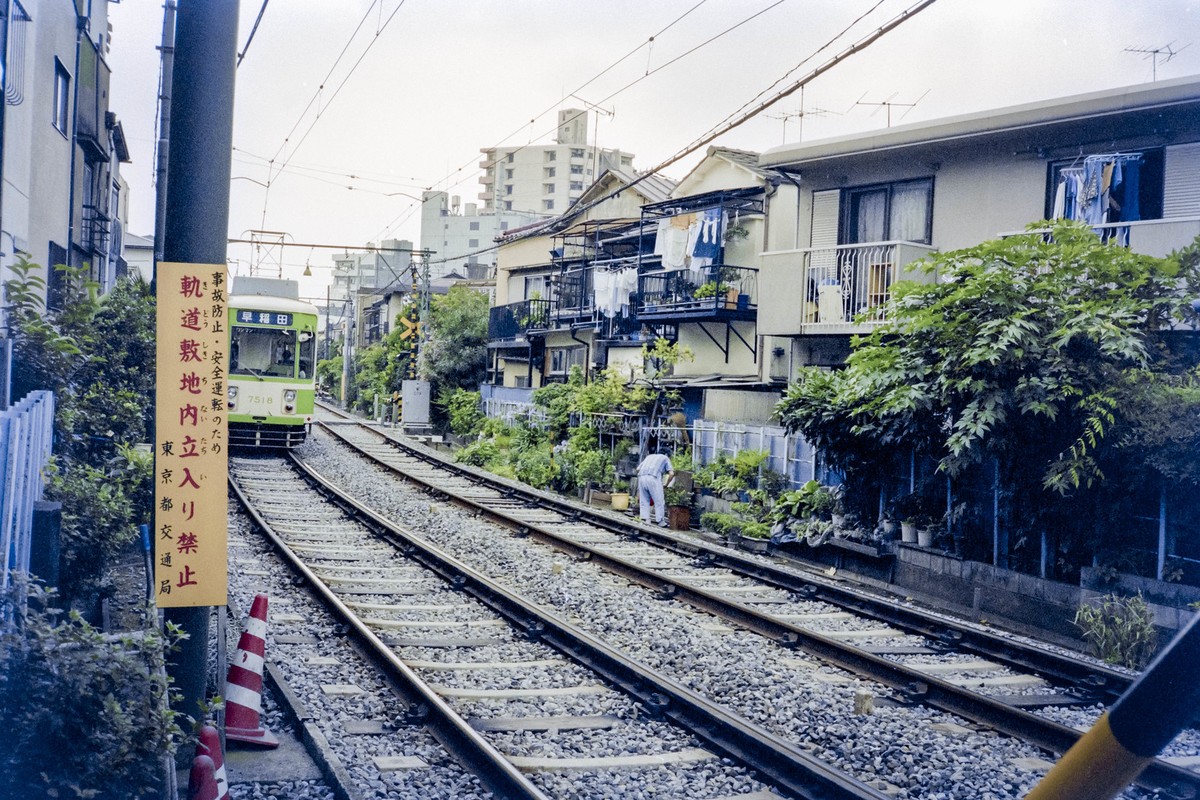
[{"x": 871, "y": 206}]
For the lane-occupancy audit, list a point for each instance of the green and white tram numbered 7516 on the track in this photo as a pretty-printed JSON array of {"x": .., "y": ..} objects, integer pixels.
[{"x": 273, "y": 365}]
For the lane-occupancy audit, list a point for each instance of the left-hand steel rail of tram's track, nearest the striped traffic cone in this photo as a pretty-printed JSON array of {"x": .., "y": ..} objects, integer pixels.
[{"x": 427, "y": 707}]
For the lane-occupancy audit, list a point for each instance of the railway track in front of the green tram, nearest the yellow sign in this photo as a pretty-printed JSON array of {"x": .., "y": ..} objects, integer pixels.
[{"x": 517, "y": 695}]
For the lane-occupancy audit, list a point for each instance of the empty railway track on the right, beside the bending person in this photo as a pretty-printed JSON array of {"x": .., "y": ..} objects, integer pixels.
[{"x": 986, "y": 682}]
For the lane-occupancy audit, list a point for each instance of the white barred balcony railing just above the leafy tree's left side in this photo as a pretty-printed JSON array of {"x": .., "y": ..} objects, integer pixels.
[{"x": 853, "y": 284}]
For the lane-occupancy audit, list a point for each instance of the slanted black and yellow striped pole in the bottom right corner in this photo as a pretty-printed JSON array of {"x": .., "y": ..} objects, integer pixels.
[{"x": 1132, "y": 733}]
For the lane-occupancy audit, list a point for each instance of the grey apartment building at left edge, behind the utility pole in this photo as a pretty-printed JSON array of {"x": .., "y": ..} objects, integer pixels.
[{"x": 62, "y": 146}]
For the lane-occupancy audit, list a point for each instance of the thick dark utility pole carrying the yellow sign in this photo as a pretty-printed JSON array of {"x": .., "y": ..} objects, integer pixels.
[{"x": 197, "y": 222}]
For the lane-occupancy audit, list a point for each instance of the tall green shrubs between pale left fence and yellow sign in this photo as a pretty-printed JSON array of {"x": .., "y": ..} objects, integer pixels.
[{"x": 97, "y": 353}]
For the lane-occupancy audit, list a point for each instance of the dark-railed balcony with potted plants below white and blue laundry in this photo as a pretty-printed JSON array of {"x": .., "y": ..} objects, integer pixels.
[{"x": 719, "y": 293}]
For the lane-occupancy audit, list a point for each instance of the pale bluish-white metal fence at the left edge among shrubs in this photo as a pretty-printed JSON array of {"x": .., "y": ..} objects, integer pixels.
[{"x": 27, "y": 434}]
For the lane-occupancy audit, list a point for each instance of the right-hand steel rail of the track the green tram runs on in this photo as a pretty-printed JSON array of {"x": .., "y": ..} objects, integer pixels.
[{"x": 781, "y": 762}]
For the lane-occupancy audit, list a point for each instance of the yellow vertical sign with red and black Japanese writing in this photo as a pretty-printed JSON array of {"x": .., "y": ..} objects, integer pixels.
[{"x": 191, "y": 436}]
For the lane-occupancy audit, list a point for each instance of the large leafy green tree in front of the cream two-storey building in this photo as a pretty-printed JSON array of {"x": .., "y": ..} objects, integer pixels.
[{"x": 1033, "y": 352}]
